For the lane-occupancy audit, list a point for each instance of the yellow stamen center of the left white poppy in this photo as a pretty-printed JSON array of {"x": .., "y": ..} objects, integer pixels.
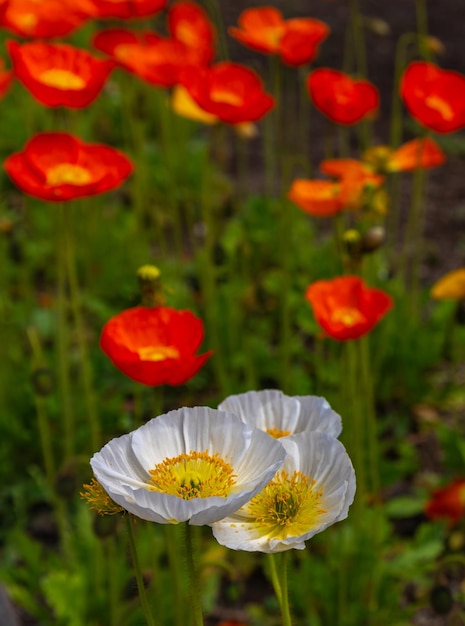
[{"x": 193, "y": 475}]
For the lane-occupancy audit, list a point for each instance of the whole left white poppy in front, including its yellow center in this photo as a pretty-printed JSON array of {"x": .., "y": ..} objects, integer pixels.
[{"x": 192, "y": 464}]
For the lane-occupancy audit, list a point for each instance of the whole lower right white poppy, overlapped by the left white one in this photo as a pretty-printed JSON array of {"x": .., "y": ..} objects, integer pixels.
[{"x": 313, "y": 490}]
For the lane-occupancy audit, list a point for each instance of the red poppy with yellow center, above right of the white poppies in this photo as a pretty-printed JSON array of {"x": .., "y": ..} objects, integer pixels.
[{"x": 346, "y": 308}]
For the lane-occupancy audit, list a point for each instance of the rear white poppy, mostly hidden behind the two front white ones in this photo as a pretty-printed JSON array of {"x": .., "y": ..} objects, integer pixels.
[{"x": 280, "y": 415}]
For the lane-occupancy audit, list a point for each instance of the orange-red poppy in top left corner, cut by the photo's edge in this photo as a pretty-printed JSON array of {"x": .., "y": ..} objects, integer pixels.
[{"x": 46, "y": 18}]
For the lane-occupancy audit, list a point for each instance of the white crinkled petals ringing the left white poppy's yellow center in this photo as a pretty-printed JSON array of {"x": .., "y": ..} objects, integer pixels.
[{"x": 123, "y": 464}]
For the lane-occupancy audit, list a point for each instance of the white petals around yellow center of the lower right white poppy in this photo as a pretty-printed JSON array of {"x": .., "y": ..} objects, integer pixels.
[{"x": 323, "y": 459}]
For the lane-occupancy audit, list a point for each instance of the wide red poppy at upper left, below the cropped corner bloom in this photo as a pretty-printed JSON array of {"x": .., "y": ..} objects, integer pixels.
[{"x": 59, "y": 74}]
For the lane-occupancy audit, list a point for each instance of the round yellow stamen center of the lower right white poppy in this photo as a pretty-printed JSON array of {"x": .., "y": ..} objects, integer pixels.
[{"x": 288, "y": 506}]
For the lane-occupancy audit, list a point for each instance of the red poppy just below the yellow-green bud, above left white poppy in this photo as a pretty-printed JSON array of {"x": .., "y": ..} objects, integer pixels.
[{"x": 155, "y": 346}]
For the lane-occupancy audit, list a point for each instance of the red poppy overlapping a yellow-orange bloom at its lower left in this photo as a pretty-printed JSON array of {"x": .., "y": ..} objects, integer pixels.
[{"x": 231, "y": 92}]
